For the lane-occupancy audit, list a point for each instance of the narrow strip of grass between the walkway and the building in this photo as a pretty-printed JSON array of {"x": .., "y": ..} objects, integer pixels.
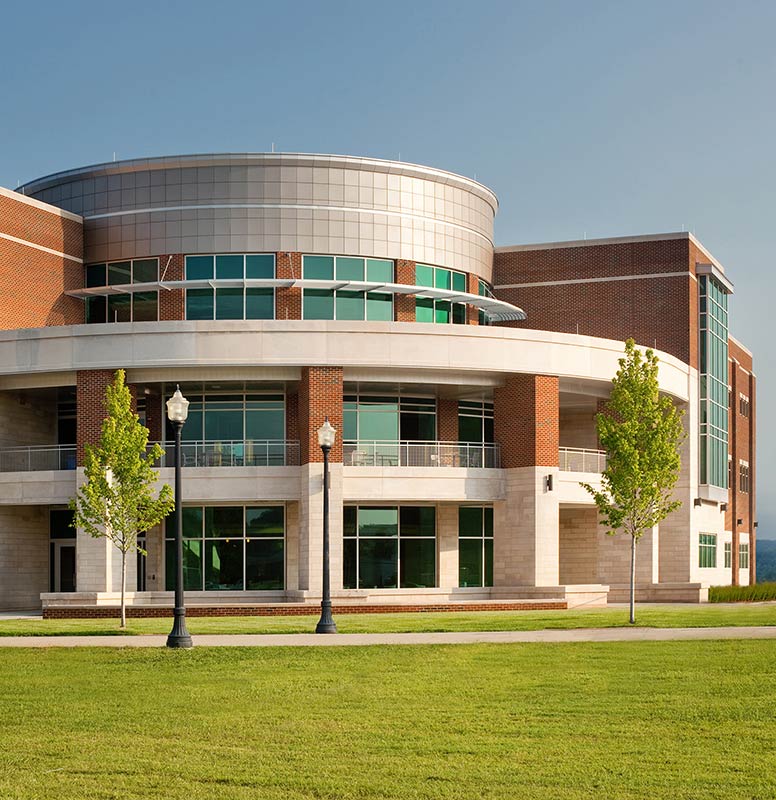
[{"x": 658, "y": 616}]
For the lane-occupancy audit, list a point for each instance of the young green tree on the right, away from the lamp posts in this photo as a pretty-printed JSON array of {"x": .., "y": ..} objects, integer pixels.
[{"x": 641, "y": 433}]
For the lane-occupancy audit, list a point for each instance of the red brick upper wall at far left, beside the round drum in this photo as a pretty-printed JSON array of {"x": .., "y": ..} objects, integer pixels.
[{"x": 32, "y": 280}]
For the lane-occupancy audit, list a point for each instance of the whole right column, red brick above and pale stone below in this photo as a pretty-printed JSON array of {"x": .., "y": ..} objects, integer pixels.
[{"x": 526, "y": 535}]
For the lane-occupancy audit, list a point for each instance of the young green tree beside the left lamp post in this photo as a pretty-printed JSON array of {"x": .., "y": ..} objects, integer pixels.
[{"x": 118, "y": 501}]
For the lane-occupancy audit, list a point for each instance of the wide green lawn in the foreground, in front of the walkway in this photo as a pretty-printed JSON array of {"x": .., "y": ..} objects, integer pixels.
[{"x": 627, "y": 720}]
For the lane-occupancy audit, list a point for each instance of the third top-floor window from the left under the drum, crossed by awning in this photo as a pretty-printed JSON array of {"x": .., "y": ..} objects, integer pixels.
[{"x": 346, "y": 303}]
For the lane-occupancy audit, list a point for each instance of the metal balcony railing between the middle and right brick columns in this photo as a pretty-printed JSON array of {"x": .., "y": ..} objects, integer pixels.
[{"x": 420, "y": 454}]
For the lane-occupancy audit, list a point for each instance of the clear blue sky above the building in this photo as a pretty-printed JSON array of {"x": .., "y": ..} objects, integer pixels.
[{"x": 596, "y": 118}]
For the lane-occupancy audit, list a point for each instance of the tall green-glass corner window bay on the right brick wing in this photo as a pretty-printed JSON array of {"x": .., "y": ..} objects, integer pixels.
[{"x": 714, "y": 382}]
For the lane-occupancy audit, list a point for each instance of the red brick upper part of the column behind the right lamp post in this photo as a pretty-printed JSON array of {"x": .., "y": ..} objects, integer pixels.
[{"x": 320, "y": 396}]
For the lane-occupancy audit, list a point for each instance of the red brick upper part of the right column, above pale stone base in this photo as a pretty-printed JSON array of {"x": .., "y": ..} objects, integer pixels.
[{"x": 526, "y": 421}]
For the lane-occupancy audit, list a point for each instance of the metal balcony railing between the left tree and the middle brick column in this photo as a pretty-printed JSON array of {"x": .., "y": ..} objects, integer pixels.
[{"x": 235, "y": 453}]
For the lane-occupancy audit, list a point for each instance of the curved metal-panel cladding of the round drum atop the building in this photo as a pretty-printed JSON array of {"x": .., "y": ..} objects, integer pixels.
[{"x": 278, "y": 202}]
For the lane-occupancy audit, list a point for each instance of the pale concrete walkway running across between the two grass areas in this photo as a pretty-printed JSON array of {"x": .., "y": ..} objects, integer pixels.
[{"x": 365, "y": 639}]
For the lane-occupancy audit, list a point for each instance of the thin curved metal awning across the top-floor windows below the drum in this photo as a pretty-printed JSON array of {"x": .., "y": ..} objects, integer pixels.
[{"x": 495, "y": 310}]
